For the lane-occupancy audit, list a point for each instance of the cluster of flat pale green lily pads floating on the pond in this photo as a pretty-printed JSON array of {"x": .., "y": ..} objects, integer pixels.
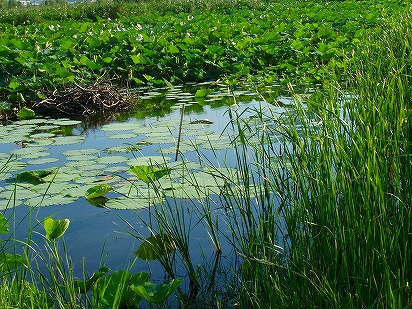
[{"x": 48, "y": 161}]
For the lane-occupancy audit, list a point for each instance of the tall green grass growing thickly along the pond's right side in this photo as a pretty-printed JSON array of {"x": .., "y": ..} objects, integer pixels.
[{"x": 330, "y": 224}]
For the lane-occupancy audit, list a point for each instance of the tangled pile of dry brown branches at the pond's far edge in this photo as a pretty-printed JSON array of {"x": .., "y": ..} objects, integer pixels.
[{"x": 94, "y": 99}]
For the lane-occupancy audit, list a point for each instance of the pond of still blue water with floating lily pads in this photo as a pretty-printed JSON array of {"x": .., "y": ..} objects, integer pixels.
[{"x": 49, "y": 164}]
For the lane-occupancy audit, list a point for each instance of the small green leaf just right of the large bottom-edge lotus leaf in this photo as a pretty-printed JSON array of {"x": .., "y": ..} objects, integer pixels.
[{"x": 156, "y": 293}]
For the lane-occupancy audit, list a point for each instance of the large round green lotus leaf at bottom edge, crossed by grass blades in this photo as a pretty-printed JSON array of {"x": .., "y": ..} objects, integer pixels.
[{"x": 114, "y": 290}]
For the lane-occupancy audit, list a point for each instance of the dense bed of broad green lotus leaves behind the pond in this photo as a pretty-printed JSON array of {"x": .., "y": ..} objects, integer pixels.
[{"x": 293, "y": 40}]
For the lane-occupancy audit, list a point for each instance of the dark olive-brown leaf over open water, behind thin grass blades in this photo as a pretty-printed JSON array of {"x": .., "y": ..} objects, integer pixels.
[{"x": 156, "y": 246}]
